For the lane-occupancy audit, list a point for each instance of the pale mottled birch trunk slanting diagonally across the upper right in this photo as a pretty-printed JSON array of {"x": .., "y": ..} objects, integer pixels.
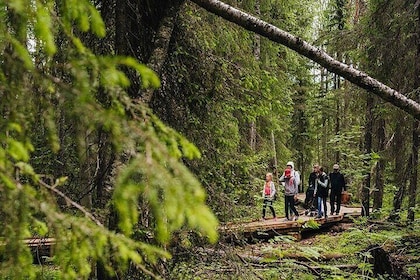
[{"x": 297, "y": 44}]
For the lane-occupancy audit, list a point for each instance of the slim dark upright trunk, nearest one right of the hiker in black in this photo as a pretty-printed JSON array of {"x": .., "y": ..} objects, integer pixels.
[{"x": 365, "y": 194}]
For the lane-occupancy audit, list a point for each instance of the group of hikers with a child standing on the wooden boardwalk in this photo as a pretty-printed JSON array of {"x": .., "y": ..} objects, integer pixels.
[{"x": 319, "y": 184}]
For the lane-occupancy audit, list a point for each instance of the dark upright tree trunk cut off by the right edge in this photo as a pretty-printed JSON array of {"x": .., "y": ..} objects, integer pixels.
[{"x": 412, "y": 192}]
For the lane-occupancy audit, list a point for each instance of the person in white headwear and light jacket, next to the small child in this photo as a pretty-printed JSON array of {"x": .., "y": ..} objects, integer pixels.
[{"x": 291, "y": 179}]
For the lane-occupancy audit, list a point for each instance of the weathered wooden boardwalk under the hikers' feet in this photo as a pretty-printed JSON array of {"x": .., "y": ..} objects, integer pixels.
[{"x": 280, "y": 225}]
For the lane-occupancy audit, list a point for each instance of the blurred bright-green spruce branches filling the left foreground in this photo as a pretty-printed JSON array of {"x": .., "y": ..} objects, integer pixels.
[{"x": 50, "y": 88}]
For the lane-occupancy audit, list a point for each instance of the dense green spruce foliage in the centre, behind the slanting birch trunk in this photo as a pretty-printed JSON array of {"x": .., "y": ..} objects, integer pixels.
[{"x": 219, "y": 86}]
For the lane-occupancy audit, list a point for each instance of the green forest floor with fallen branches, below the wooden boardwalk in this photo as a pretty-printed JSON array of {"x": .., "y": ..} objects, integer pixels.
[{"x": 358, "y": 249}]
